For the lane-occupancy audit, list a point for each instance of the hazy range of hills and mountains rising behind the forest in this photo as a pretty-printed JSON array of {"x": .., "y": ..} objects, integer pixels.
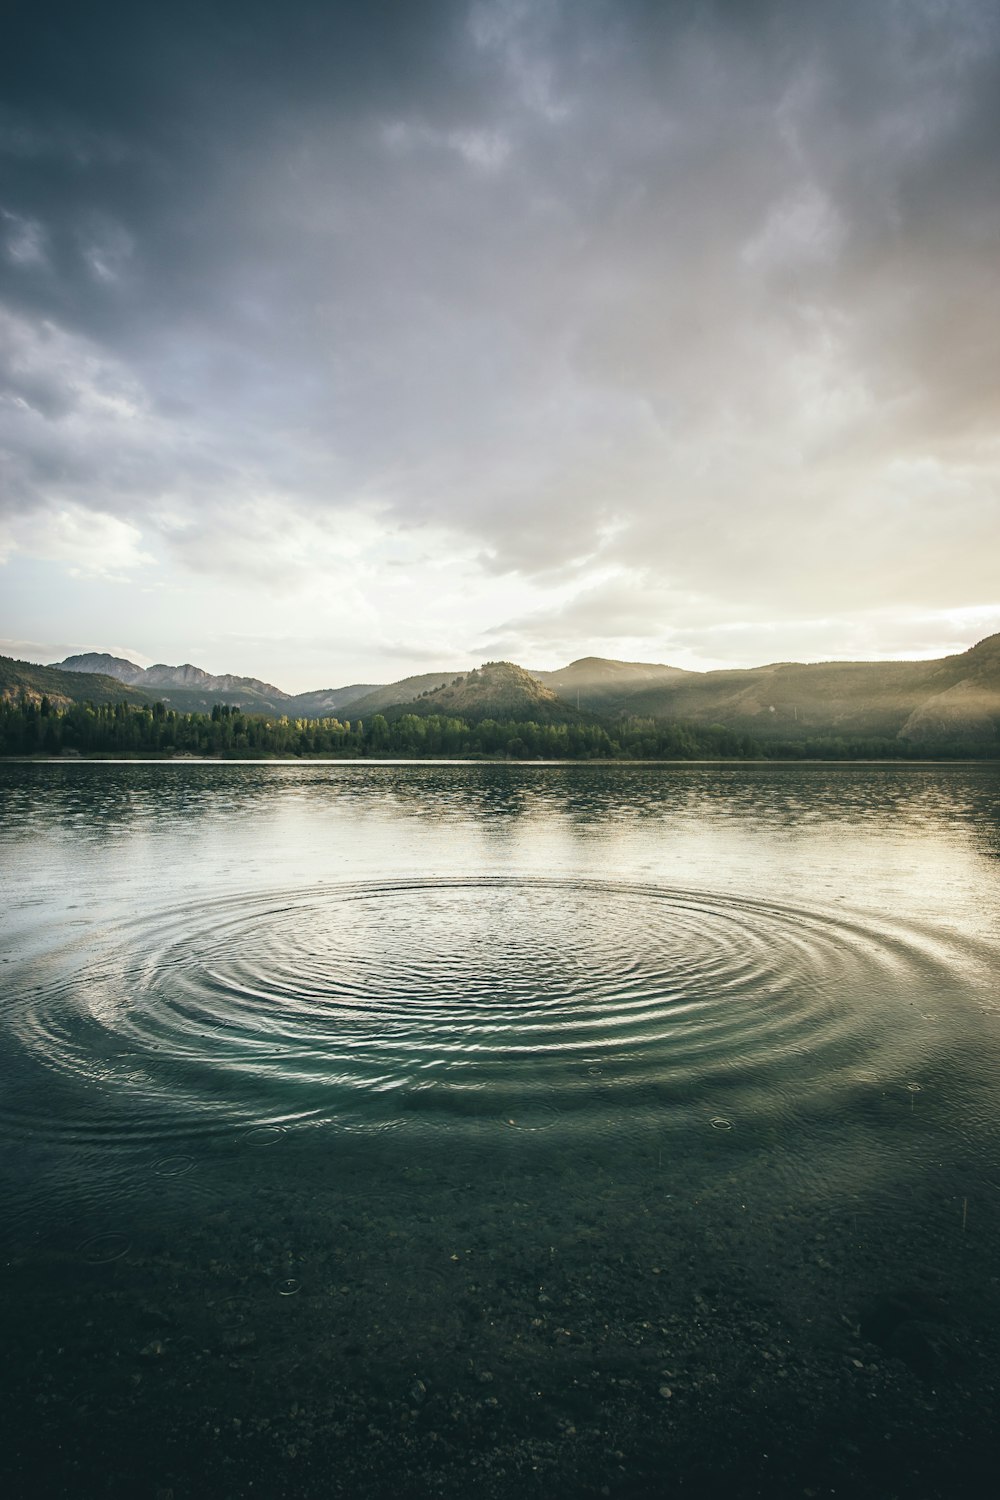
[{"x": 954, "y": 700}]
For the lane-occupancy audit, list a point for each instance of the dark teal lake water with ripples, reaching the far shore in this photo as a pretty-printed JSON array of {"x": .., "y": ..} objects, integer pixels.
[{"x": 542, "y": 1130}]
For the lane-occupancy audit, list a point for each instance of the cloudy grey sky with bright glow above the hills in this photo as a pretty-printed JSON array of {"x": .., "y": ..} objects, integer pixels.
[{"x": 346, "y": 341}]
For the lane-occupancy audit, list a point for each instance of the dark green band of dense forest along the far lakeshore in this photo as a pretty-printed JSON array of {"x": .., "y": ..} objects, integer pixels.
[{"x": 124, "y": 730}]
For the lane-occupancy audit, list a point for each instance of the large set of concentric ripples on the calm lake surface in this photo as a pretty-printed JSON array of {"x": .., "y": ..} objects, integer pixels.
[{"x": 509, "y": 1004}]
